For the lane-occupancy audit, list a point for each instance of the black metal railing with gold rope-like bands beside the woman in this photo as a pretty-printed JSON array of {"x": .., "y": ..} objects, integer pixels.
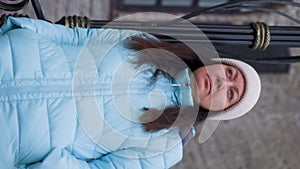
[{"x": 256, "y": 35}]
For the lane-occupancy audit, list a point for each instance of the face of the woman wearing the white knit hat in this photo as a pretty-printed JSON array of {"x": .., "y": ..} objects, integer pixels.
[{"x": 219, "y": 86}]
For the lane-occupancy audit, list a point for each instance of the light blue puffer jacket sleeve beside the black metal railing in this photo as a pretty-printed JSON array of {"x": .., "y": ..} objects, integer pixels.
[{"x": 67, "y": 36}]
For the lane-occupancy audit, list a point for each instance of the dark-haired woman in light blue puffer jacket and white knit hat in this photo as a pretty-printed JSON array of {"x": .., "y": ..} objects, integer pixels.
[{"x": 86, "y": 98}]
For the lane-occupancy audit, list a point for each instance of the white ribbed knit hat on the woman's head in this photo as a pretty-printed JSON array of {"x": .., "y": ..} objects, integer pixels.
[{"x": 250, "y": 96}]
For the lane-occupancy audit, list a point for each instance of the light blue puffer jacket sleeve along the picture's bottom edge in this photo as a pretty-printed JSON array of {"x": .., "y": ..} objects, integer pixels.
[{"x": 62, "y": 159}]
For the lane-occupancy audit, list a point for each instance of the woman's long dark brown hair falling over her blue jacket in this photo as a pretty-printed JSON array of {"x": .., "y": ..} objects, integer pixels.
[{"x": 154, "y": 119}]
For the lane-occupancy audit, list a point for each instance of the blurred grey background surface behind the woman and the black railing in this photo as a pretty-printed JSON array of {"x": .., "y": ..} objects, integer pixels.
[{"x": 266, "y": 138}]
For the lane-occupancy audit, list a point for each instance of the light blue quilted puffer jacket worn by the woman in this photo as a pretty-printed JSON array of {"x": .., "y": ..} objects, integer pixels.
[{"x": 69, "y": 98}]
